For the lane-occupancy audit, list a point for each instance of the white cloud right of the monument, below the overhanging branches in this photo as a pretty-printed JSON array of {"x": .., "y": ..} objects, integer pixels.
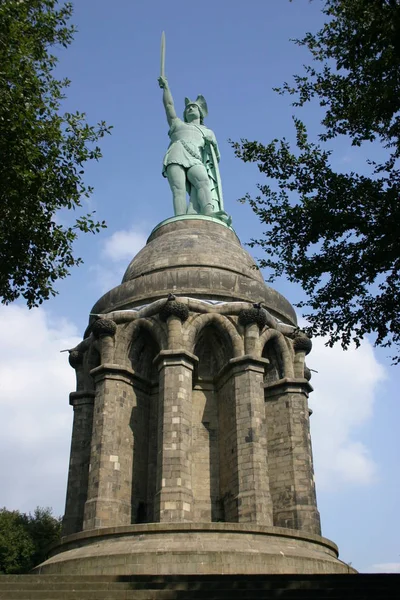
[{"x": 346, "y": 387}]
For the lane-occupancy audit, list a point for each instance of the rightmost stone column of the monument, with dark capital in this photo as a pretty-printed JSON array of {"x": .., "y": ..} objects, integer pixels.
[{"x": 290, "y": 455}]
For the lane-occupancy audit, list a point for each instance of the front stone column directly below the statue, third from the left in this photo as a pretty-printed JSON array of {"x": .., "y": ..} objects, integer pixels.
[{"x": 174, "y": 497}]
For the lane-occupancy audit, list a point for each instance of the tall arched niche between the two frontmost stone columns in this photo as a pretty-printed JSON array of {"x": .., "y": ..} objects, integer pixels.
[{"x": 214, "y": 349}]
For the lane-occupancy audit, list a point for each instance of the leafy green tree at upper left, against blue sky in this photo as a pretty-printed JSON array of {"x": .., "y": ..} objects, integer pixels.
[{"x": 42, "y": 152}]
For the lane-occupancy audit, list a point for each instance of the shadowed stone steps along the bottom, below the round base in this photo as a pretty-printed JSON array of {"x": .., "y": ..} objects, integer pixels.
[{"x": 208, "y": 587}]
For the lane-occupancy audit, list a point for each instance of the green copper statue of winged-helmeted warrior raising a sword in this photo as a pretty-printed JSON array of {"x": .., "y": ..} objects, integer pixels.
[{"x": 191, "y": 161}]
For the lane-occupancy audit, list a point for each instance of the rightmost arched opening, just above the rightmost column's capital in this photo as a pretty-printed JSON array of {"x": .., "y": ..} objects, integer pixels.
[{"x": 273, "y": 346}]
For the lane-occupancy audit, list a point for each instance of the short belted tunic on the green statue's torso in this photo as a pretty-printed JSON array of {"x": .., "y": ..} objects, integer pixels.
[{"x": 187, "y": 144}]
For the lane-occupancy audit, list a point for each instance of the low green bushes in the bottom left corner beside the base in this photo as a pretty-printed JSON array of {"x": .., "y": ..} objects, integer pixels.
[{"x": 25, "y": 539}]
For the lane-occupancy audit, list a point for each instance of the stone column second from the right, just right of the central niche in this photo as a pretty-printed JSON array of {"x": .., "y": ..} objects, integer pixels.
[{"x": 254, "y": 500}]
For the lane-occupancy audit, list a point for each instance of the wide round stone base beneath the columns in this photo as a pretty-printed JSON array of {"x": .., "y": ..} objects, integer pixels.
[{"x": 193, "y": 548}]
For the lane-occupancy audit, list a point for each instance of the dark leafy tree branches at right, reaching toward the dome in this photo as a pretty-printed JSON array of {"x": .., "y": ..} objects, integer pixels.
[{"x": 336, "y": 233}]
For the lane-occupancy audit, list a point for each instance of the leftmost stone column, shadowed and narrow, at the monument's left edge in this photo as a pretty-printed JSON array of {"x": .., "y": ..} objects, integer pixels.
[{"x": 78, "y": 473}]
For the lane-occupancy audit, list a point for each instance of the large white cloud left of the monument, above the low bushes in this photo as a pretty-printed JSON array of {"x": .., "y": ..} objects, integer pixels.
[{"x": 35, "y": 428}]
